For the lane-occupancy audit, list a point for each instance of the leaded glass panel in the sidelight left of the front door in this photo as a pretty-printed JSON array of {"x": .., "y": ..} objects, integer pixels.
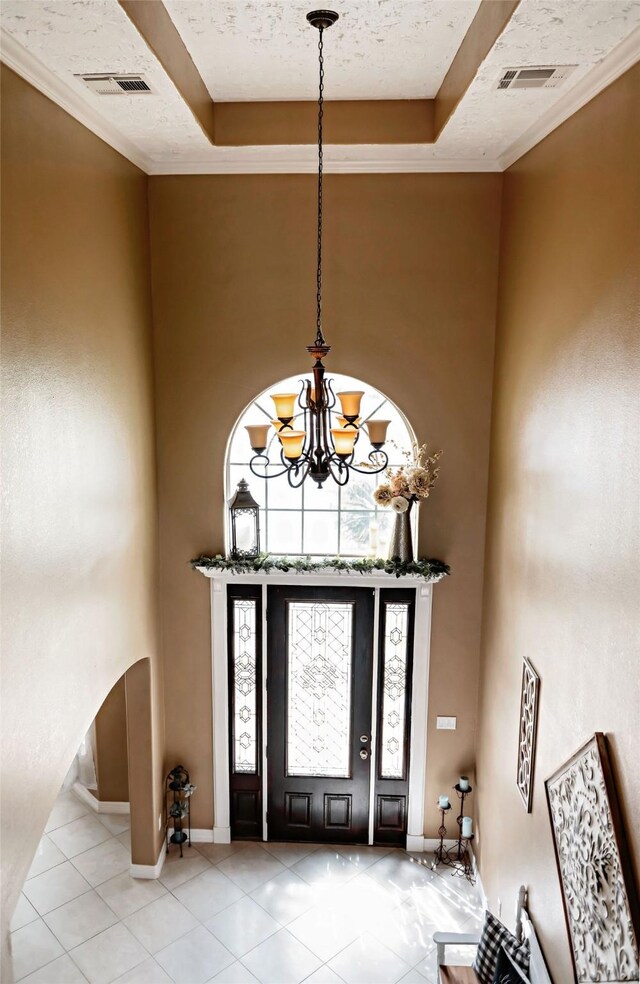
[{"x": 245, "y": 744}]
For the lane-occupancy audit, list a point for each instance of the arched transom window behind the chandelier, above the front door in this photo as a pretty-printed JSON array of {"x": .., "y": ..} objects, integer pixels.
[{"x": 308, "y": 521}]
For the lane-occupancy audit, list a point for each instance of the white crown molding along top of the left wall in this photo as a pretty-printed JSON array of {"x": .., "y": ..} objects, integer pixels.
[{"x": 21, "y": 61}]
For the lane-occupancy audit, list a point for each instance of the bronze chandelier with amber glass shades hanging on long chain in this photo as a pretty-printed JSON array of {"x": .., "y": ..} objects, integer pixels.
[{"x": 324, "y": 444}]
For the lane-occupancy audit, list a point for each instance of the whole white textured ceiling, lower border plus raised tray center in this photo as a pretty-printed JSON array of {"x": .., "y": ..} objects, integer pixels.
[{"x": 376, "y": 52}]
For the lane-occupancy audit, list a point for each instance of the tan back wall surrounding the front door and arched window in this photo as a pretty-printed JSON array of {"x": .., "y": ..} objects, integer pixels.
[{"x": 410, "y": 291}]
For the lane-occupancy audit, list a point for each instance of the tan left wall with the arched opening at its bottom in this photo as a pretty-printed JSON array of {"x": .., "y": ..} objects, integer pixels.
[{"x": 78, "y": 452}]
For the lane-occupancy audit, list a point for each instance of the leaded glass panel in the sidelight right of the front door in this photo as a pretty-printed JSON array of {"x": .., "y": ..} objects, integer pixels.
[{"x": 394, "y": 687}]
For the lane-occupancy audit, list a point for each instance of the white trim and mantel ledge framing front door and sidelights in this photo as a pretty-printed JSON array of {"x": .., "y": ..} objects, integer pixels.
[{"x": 220, "y": 698}]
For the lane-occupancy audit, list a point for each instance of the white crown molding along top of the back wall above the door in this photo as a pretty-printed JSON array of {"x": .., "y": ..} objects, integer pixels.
[{"x": 293, "y": 166}]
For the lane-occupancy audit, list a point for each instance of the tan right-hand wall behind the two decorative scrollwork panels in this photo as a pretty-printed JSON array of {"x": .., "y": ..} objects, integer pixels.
[{"x": 562, "y": 577}]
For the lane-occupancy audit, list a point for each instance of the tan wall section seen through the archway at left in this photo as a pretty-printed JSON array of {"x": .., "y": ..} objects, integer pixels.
[{"x": 112, "y": 766}]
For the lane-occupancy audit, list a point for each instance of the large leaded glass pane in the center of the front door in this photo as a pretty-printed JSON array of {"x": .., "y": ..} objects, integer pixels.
[{"x": 319, "y": 658}]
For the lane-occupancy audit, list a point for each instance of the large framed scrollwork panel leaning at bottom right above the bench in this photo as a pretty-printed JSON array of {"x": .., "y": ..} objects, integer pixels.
[{"x": 598, "y": 890}]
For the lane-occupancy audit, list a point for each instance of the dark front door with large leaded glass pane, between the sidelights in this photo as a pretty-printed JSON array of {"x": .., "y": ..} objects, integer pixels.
[{"x": 319, "y": 680}]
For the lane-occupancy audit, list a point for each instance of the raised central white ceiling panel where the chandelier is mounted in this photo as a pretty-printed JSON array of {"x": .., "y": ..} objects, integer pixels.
[{"x": 379, "y": 49}]
